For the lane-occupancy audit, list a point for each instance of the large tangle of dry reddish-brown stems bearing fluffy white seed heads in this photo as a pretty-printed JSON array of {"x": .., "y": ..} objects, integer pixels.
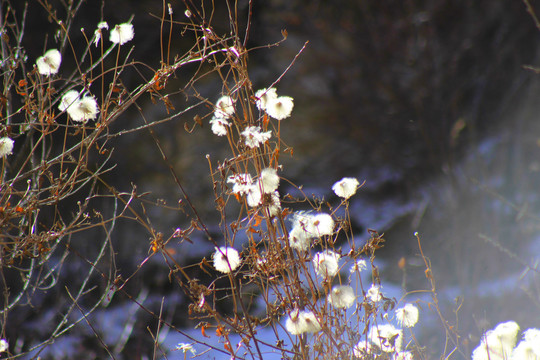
[{"x": 296, "y": 280}]
